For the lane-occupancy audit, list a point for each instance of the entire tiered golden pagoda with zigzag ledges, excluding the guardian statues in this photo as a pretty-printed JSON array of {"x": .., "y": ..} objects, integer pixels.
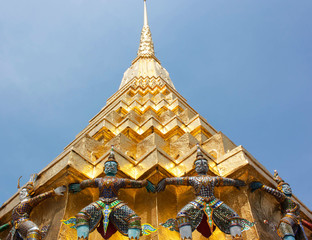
[{"x": 154, "y": 132}]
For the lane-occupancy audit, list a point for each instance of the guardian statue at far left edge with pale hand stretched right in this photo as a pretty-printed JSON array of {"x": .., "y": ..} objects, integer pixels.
[{"x": 23, "y": 227}]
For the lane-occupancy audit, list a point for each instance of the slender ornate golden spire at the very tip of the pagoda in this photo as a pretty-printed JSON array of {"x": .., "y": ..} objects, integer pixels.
[{"x": 146, "y": 48}]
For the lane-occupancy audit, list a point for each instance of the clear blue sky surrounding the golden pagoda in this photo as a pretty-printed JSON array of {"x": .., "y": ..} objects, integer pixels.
[{"x": 243, "y": 65}]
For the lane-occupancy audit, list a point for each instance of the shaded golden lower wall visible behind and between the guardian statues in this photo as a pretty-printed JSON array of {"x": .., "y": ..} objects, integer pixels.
[{"x": 156, "y": 208}]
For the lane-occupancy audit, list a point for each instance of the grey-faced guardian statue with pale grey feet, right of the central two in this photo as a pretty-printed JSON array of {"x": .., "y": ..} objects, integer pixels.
[{"x": 205, "y": 209}]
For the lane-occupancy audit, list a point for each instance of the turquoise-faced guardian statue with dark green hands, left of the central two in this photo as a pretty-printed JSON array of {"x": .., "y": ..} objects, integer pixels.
[{"x": 110, "y": 214}]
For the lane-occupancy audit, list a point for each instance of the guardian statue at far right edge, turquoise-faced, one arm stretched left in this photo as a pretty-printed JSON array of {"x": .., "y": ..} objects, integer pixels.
[{"x": 290, "y": 226}]
